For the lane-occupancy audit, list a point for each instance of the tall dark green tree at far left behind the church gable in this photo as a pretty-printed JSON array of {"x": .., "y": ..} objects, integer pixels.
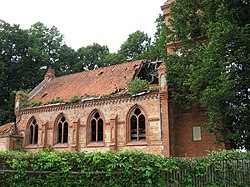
[{"x": 23, "y": 53}]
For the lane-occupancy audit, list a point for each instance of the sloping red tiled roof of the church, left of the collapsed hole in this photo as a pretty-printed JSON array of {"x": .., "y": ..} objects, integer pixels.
[{"x": 99, "y": 82}]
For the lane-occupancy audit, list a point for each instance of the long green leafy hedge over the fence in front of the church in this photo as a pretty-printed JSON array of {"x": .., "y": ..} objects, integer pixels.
[{"x": 51, "y": 168}]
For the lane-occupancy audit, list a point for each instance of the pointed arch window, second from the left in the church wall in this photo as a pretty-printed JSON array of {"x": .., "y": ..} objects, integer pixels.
[{"x": 62, "y": 130}]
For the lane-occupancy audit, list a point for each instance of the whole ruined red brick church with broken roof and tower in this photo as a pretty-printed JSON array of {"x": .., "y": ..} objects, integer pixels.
[{"x": 93, "y": 111}]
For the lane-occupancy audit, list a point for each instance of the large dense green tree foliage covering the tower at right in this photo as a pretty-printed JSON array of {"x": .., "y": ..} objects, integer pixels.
[{"x": 211, "y": 63}]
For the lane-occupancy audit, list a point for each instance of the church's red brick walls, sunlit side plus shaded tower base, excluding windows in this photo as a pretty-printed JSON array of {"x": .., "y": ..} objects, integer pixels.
[{"x": 115, "y": 113}]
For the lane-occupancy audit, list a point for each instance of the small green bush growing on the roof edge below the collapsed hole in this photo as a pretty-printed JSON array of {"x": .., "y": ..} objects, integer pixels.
[{"x": 136, "y": 85}]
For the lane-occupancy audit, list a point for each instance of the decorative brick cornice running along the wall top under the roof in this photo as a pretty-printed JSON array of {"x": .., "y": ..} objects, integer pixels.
[{"x": 90, "y": 103}]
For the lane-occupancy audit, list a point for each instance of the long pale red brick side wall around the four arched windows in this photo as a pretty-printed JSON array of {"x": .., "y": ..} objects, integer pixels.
[{"x": 77, "y": 116}]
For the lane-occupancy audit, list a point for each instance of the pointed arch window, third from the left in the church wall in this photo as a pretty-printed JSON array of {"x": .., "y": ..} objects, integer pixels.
[{"x": 96, "y": 128}]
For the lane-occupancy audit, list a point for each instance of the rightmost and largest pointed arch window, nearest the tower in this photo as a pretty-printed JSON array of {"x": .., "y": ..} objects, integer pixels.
[{"x": 137, "y": 126}]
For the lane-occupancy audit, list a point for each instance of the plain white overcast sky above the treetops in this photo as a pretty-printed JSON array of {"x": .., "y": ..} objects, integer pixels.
[{"x": 83, "y": 22}]
